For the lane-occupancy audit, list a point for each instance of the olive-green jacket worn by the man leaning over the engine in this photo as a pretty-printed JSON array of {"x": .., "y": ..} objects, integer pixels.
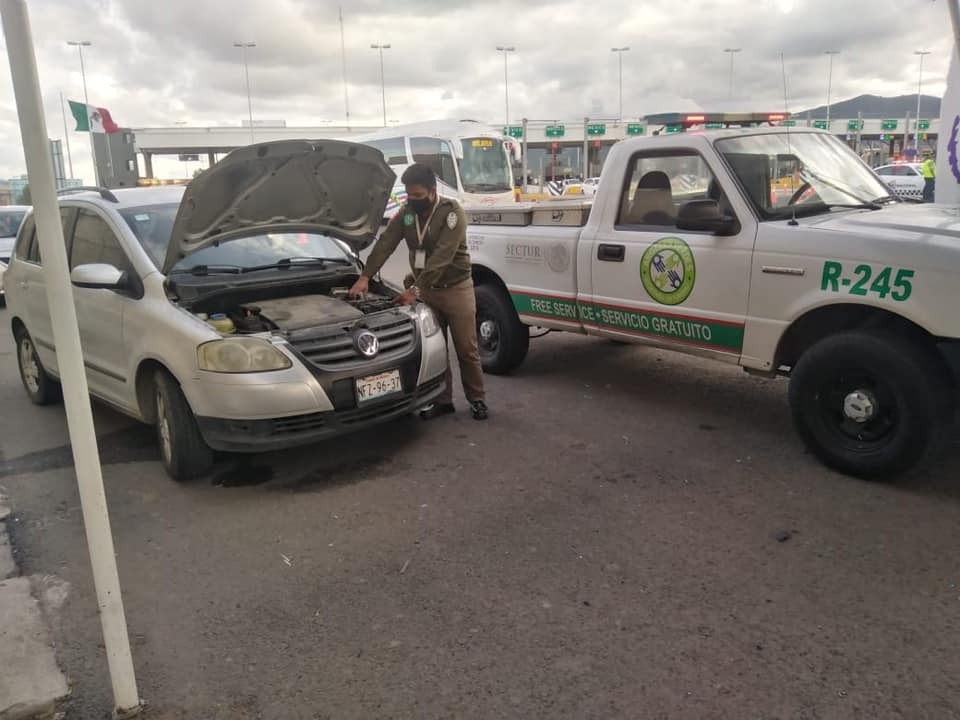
[{"x": 445, "y": 244}]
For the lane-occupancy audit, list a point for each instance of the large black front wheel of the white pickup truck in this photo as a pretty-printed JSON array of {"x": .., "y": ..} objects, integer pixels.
[{"x": 870, "y": 405}]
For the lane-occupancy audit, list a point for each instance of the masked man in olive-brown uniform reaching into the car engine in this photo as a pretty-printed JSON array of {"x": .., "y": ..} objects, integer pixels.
[{"x": 435, "y": 230}]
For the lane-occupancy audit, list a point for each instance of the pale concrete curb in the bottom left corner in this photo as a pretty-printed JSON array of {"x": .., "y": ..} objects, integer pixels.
[{"x": 31, "y": 683}]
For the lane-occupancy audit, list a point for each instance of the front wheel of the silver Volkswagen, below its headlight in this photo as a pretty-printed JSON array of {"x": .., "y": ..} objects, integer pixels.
[{"x": 182, "y": 450}]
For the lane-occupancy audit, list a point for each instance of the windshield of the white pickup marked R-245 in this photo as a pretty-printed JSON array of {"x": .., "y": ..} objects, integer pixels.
[{"x": 806, "y": 173}]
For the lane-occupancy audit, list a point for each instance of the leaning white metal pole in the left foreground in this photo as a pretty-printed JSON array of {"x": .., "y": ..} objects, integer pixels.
[{"x": 83, "y": 439}]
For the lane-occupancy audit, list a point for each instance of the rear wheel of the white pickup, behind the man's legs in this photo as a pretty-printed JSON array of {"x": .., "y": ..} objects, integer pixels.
[{"x": 502, "y": 338}]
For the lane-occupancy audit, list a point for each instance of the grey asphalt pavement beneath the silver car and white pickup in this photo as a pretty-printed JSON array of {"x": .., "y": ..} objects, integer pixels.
[{"x": 633, "y": 534}]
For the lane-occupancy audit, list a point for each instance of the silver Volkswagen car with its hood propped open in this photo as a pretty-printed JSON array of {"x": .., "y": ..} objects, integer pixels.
[{"x": 220, "y": 313}]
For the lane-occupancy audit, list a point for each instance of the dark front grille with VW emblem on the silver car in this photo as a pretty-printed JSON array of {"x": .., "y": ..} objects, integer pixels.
[{"x": 335, "y": 349}]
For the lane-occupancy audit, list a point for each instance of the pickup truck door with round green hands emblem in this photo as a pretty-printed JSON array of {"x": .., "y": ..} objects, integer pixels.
[{"x": 670, "y": 287}]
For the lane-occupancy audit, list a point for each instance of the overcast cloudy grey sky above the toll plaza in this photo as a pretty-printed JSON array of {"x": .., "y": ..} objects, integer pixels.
[{"x": 161, "y": 63}]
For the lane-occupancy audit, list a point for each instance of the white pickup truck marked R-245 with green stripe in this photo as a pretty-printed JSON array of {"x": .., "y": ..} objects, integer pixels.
[{"x": 774, "y": 249}]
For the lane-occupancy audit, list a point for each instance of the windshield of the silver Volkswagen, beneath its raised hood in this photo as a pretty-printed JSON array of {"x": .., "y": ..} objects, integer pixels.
[{"x": 261, "y": 251}]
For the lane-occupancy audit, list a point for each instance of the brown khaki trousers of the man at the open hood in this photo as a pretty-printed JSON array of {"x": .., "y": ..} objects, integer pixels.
[{"x": 456, "y": 310}]
